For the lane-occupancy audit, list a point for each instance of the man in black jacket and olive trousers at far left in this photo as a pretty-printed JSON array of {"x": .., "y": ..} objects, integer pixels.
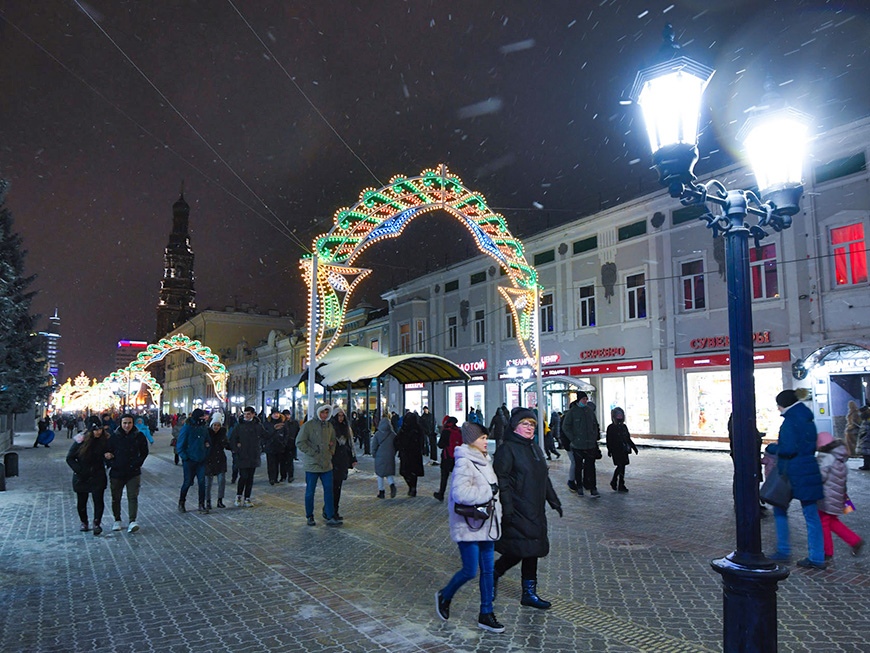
[{"x": 126, "y": 452}]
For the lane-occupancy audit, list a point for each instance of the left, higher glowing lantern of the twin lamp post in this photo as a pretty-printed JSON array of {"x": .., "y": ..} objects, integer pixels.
[{"x": 670, "y": 94}]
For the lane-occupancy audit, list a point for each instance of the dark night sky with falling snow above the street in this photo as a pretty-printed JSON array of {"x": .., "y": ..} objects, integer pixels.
[{"x": 275, "y": 114}]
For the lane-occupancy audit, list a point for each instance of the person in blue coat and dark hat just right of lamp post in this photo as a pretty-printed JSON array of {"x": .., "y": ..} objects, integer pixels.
[{"x": 795, "y": 451}]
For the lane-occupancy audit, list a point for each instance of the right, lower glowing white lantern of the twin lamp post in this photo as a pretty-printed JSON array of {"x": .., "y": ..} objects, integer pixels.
[{"x": 775, "y": 143}]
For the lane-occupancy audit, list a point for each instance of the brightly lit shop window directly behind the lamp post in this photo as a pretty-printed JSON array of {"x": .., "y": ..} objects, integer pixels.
[{"x": 709, "y": 401}]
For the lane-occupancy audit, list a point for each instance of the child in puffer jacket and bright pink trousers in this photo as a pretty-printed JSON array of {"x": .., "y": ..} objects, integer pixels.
[{"x": 832, "y": 456}]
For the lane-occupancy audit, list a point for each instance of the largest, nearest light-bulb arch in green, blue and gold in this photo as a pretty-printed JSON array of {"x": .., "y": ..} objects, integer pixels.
[{"x": 384, "y": 213}]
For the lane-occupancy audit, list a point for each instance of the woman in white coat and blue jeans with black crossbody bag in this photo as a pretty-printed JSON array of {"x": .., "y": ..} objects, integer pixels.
[{"x": 474, "y": 484}]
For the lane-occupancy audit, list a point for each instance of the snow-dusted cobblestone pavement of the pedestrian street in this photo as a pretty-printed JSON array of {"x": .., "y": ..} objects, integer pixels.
[{"x": 627, "y": 572}]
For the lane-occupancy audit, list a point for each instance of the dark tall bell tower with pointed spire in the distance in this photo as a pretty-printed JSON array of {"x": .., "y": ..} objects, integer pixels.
[{"x": 177, "y": 297}]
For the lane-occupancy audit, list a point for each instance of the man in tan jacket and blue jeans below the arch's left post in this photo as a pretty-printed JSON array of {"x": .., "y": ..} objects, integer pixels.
[{"x": 316, "y": 442}]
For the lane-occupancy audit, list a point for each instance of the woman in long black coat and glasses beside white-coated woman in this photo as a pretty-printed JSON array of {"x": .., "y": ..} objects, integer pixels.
[{"x": 524, "y": 490}]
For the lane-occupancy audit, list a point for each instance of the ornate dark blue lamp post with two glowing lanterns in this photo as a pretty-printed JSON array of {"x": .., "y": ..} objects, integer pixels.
[{"x": 670, "y": 94}]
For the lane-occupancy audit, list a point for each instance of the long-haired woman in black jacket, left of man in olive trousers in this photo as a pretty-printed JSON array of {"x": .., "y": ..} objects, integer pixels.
[{"x": 87, "y": 460}]
